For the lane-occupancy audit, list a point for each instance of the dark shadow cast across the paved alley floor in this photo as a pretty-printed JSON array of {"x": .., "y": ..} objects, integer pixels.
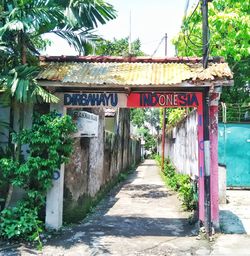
[{"x": 102, "y": 224}]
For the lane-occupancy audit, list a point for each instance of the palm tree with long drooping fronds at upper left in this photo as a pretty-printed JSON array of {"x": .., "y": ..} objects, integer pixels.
[{"x": 22, "y": 24}]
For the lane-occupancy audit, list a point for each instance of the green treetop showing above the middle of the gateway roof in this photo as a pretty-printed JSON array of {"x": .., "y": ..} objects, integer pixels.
[{"x": 119, "y": 47}]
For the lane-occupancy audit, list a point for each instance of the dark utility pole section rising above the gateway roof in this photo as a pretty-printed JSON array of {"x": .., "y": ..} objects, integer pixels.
[{"x": 205, "y": 33}]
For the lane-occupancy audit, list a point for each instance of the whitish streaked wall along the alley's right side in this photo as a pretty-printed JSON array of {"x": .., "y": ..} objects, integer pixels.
[{"x": 182, "y": 147}]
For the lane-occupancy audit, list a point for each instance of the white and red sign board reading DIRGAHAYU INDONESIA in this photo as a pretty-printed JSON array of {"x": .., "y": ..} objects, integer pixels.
[{"x": 132, "y": 99}]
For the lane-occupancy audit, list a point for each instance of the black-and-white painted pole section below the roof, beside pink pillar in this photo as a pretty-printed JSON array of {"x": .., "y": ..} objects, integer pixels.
[{"x": 207, "y": 199}]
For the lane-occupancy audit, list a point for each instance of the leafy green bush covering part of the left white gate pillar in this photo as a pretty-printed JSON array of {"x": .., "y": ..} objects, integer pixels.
[{"x": 50, "y": 145}]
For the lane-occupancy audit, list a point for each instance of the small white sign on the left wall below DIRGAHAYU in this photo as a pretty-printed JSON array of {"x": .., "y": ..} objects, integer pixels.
[{"x": 87, "y": 124}]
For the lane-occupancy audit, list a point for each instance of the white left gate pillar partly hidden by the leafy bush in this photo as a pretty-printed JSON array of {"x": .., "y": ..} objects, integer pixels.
[{"x": 54, "y": 199}]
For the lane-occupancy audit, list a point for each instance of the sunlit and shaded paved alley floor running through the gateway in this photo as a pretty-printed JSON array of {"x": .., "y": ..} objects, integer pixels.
[{"x": 140, "y": 218}]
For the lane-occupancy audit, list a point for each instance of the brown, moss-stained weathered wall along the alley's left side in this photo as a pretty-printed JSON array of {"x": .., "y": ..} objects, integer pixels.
[{"x": 96, "y": 162}]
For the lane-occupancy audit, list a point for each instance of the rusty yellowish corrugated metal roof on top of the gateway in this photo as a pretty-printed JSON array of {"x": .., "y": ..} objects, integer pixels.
[{"x": 129, "y": 74}]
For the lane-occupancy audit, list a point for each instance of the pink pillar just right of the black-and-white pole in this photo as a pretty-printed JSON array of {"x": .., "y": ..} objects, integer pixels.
[{"x": 213, "y": 134}]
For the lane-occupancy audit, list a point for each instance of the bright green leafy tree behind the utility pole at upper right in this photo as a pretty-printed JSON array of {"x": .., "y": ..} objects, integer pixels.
[{"x": 229, "y": 24}]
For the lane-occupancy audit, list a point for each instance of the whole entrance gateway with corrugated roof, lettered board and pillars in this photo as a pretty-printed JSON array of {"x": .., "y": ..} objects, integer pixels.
[{"x": 142, "y": 83}]
